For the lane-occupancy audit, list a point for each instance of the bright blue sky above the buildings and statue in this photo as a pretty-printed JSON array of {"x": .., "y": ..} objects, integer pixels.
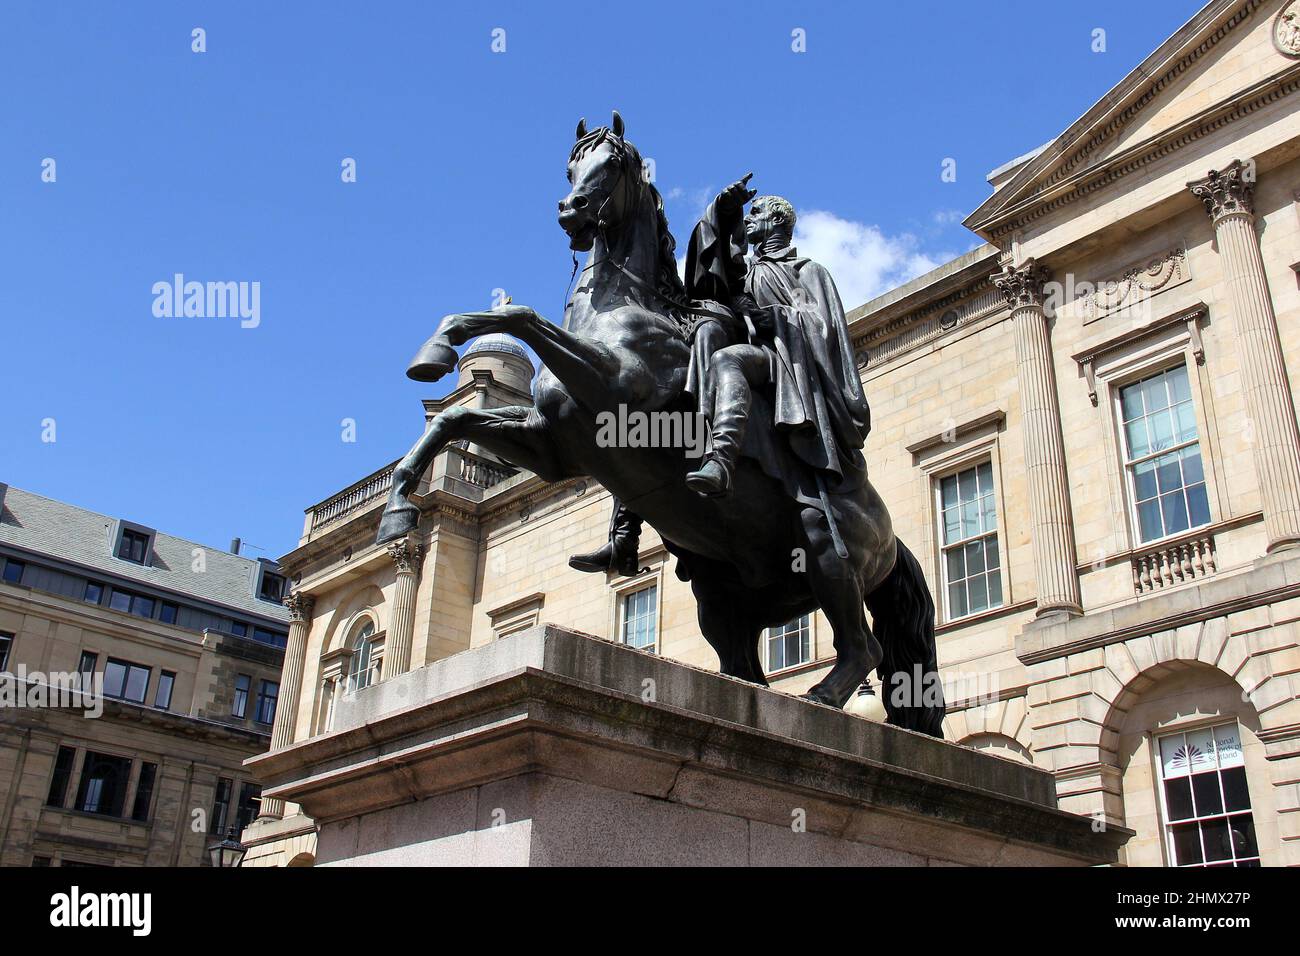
[{"x": 226, "y": 166}]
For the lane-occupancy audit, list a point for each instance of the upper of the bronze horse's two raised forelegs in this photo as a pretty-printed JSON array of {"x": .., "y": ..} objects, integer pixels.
[{"x": 588, "y": 369}]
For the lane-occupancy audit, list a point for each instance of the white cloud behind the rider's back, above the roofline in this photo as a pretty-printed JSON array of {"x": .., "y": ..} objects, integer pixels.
[{"x": 863, "y": 261}]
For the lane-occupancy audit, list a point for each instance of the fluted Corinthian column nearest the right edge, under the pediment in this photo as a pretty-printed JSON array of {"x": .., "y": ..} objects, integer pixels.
[{"x": 1229, "y": 201}]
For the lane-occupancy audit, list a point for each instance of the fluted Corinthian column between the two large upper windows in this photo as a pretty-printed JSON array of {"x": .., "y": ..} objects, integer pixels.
[{"x": 1051, "y": 530}]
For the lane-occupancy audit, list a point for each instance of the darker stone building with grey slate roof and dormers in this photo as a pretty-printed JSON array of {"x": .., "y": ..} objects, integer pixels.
[{"x": 188, "y": 642}]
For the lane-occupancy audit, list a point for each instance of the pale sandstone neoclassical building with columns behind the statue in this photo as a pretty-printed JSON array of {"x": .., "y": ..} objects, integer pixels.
[{"x": 1086, "y": 430}]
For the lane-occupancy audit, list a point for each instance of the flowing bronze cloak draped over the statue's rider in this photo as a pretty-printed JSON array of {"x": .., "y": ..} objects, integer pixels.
[{"x": 817, "y": 404}]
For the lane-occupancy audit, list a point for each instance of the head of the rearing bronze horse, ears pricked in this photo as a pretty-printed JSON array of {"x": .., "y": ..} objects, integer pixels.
[{"x": 608, "y": 183}]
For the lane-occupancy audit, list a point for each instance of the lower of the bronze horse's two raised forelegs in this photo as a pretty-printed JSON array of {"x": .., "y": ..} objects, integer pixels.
[{"x": 517, "y": 434}]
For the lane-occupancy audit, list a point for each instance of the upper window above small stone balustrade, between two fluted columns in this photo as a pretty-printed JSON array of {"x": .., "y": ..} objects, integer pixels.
[{"x": 1163, "y": 456}]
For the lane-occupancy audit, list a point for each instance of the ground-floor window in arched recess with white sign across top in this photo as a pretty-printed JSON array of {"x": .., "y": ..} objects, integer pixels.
[{"x": 1207, "y": 804}]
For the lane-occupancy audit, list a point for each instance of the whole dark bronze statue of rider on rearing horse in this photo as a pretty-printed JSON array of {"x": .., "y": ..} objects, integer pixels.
[{"x": 779, "y": 518}]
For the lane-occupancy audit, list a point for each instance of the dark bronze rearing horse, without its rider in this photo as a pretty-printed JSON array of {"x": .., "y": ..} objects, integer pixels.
[{"x": 756, "y": 559}]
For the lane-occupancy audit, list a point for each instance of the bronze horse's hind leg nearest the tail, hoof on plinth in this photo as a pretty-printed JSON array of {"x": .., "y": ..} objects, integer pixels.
[{"x": 839, "y": 592}]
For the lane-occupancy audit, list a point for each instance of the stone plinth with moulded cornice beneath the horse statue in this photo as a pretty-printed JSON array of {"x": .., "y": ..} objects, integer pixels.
[{"x": 556, "y": 749}]
